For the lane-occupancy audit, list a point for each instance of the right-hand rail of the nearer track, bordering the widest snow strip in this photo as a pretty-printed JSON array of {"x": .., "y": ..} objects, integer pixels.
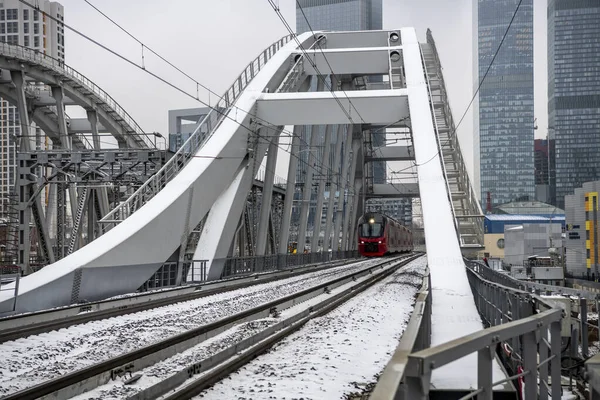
[{"x": 223, "y": 364}]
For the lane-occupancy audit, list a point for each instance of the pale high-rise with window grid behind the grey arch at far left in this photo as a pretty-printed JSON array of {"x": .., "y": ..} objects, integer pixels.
[{"x": 24, "y": 26}]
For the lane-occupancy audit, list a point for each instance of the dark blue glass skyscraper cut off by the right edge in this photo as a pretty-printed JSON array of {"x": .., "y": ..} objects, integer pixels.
[{"x": 573, "y": 94}]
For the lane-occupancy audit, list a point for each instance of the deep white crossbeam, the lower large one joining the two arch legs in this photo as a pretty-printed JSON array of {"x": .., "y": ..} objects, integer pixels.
[{"x": 322, "y": 108}]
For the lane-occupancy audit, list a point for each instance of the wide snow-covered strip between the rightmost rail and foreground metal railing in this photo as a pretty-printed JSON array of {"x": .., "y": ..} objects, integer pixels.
[{"x": 334, "y": 355}]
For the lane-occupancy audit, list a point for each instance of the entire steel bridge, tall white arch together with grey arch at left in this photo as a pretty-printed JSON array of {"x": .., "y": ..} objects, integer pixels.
[{"x": 218, "y": 196}]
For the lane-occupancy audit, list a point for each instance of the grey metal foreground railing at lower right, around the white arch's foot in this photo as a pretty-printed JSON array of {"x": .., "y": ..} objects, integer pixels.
[{"x": 525, "y": 327}]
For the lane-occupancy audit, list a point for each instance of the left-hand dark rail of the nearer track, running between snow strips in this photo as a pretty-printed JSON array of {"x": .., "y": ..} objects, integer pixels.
[{"x": 87, "y": 378}]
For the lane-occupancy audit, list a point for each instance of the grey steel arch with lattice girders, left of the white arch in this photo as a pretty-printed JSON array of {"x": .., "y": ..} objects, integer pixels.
[{"x": 53, "y": 179}]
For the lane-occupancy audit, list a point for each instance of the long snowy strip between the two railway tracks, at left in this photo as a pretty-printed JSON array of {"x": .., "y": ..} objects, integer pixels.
[{"x": 33, "y": 360}]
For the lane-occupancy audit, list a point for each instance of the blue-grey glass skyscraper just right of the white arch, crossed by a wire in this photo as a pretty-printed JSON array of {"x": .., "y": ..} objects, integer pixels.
[{"x": 504, "y": 120}]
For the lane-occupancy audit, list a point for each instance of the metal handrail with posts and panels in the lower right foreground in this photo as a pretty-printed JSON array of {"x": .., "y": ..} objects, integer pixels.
[{"x": 408, "y": 373}]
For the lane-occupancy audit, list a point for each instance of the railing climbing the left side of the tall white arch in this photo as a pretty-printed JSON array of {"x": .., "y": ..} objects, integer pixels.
[{"x": 201, "y": 135}]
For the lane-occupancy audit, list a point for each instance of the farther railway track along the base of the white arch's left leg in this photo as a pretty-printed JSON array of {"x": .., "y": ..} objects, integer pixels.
[{"x": 24, "y": 325}]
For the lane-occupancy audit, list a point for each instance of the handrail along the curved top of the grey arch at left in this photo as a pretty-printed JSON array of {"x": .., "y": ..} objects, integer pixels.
[{"x": 30, "y": 55}]
